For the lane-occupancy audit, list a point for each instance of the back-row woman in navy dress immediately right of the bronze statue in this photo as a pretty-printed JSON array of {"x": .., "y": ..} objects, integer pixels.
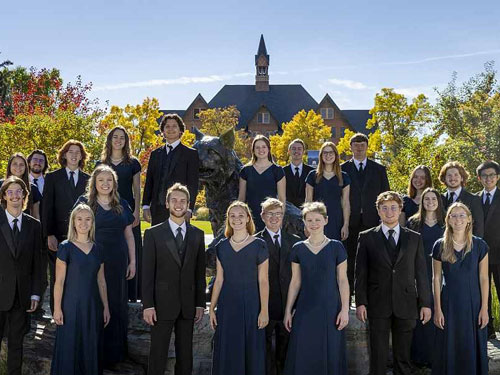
[{"x": 261, "y": 179}]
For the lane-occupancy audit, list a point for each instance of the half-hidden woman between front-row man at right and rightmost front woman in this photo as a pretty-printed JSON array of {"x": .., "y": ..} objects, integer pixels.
[{"x": 429, "y": 222}]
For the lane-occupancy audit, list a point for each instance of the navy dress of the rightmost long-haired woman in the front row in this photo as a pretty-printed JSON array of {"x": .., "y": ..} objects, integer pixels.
[{"x": 461, "y": 348}]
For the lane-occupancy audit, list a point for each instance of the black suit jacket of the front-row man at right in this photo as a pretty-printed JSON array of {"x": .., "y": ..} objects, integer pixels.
[{"x": 386, "y": 289}]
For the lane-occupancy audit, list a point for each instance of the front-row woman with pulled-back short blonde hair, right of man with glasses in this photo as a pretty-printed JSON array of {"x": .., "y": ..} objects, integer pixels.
[{"x": 319, "y": 279}]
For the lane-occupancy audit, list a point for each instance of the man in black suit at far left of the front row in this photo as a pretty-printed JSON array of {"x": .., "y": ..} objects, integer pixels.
[{"x": 20, "y": 269}]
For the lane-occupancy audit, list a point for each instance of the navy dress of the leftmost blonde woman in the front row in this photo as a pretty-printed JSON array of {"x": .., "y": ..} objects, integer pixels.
[{"x": 78, "y": 346}]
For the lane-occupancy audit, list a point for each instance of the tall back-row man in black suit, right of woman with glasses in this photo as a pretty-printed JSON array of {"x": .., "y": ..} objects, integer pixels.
[{"x": 368, "y": 180}]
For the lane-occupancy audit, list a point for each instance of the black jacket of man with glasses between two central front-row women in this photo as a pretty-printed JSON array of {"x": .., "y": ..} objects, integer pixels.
[{"x": 279, "y": 264}]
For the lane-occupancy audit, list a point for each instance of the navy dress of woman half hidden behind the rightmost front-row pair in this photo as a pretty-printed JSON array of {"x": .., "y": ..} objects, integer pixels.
[{"x": 422, "y": 347}]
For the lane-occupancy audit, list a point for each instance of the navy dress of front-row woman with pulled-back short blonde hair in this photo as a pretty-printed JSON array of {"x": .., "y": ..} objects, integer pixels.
[{"x": 316, "y": 346}]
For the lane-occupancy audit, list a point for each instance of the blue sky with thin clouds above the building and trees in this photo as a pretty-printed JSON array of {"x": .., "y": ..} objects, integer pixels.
[{"x": 174, "y": 50}]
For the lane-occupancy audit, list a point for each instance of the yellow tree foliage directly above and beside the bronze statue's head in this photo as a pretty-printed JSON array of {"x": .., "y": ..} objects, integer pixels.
[{"x": 215, "y": 121}]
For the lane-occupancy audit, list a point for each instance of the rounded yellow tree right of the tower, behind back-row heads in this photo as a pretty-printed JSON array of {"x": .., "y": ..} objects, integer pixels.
[{"x": 309, "y": 127}]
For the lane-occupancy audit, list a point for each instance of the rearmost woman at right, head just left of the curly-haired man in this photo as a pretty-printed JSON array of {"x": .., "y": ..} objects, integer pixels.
[{"x": 420, "y": 179}]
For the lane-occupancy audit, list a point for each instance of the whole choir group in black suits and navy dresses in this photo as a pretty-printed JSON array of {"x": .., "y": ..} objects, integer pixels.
[{"x": 416, "y": 267}]
